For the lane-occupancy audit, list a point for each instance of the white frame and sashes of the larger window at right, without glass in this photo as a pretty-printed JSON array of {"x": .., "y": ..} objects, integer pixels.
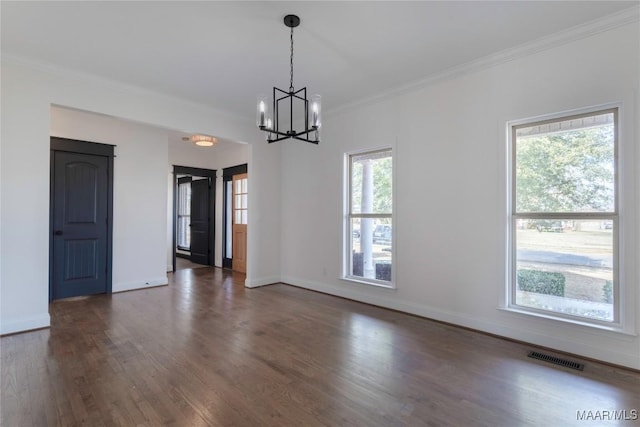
[{"x": 513, "y": 216}]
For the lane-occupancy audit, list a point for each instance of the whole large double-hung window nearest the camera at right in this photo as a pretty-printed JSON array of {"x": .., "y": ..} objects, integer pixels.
[{"x": 564, "y": 217}]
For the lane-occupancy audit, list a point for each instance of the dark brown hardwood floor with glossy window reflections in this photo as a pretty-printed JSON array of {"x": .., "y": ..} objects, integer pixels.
[{"x": 206, "y": 351}]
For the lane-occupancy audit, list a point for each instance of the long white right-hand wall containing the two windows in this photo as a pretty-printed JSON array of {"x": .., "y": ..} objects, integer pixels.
[{"x": 450, "y": 216}]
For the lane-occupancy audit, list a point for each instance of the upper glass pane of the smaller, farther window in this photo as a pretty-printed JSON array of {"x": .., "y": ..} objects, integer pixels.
[{"x": 371, "y": 183}]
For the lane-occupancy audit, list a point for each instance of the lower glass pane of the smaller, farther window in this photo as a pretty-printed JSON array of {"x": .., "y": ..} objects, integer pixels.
[{"x": 371, "y": 248}]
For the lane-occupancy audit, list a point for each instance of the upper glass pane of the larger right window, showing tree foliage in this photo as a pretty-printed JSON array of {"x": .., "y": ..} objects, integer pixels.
[{"x": 566, "y": 166}]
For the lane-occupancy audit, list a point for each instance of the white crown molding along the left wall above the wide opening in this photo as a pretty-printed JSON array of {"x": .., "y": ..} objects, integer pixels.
[{"x": 115, "y": 85}]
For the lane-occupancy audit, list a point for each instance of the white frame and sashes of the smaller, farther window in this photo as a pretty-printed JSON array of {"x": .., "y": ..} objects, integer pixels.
[{"x": 347, "y": 258}]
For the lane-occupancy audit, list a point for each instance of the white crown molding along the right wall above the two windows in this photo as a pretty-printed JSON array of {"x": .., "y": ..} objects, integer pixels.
[{"x": 624, "y": 17}]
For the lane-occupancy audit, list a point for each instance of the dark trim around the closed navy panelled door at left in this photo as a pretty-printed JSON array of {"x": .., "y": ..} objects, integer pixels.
[{"x": 95, "y": 149}]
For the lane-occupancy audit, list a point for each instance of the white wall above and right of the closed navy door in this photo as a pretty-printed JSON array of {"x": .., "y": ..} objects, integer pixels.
[{"x": 138, "y": 191}]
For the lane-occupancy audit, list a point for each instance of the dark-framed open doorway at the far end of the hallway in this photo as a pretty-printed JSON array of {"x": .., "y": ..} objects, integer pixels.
[{"x": 194, "y": 211}]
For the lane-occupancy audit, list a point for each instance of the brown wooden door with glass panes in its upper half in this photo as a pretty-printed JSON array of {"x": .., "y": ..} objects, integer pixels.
[{"x": 240, "y": 213}]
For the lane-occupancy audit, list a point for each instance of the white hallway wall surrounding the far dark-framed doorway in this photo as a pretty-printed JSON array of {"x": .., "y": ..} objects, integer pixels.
[{"x": 216, "y": 158}]
